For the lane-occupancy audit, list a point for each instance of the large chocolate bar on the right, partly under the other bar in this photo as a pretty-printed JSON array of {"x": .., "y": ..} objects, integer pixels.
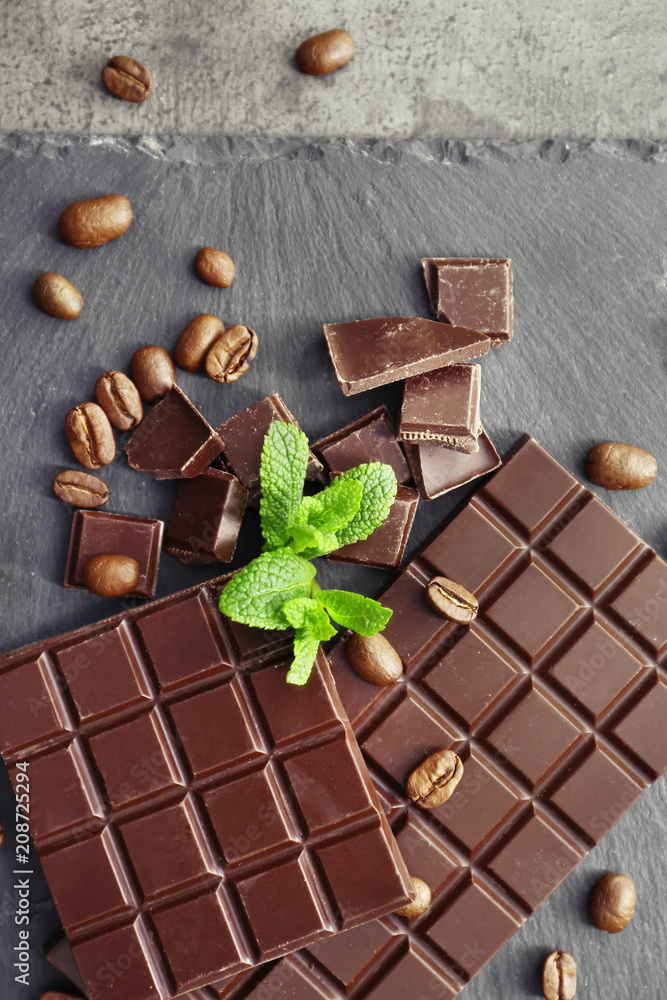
[{"x": 553, "y": 698}]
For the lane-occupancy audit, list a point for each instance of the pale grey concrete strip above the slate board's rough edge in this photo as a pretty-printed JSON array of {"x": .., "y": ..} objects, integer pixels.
[{"x": 423, "y": 68}]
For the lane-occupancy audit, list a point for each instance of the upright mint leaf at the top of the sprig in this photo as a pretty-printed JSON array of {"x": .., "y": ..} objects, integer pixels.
[{"x": 282, "y": 475}]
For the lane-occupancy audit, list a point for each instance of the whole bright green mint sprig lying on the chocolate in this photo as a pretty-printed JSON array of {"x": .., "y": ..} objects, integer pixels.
[{"x": 278, "y": 590}]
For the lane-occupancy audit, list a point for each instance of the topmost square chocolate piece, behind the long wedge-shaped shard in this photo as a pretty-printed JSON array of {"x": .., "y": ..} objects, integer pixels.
[{"x": 472, "y": 291}]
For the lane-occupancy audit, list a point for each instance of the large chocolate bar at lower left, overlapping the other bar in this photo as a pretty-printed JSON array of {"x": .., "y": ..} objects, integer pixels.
[{"x": 139, "y": 735}]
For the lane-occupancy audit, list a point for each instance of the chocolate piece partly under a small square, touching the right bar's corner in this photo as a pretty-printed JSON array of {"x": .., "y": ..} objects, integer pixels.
[{"x": 438, "y": 469}]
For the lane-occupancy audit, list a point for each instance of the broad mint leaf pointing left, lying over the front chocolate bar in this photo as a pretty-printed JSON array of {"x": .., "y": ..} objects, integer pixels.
[{"x": 256, "y": 594}]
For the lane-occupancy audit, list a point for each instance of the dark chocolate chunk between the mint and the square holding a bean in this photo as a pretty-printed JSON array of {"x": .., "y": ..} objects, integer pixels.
[{"x": 206, "y": 518}]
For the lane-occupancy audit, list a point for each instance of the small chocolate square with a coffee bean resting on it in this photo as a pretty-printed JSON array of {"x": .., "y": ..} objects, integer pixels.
[{"x": 98, "y": 533}]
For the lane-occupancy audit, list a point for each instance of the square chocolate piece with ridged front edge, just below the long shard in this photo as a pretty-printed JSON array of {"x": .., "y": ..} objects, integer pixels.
[{"x": 443, "y": 407}]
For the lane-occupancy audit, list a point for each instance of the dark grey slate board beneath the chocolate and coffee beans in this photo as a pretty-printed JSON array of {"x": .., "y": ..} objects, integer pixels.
[{"x": 334, "y": 231}]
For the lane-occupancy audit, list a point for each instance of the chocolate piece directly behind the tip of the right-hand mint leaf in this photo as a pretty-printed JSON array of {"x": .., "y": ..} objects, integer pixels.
[{"x": 370, "y": 438}]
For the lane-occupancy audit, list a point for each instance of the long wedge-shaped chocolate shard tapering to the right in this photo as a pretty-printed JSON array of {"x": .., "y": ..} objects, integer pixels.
[{"x": 373, "y": 352}]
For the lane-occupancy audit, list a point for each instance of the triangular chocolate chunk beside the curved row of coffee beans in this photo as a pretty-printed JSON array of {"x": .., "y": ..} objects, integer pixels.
[{"x": 173, "y": 441}]
